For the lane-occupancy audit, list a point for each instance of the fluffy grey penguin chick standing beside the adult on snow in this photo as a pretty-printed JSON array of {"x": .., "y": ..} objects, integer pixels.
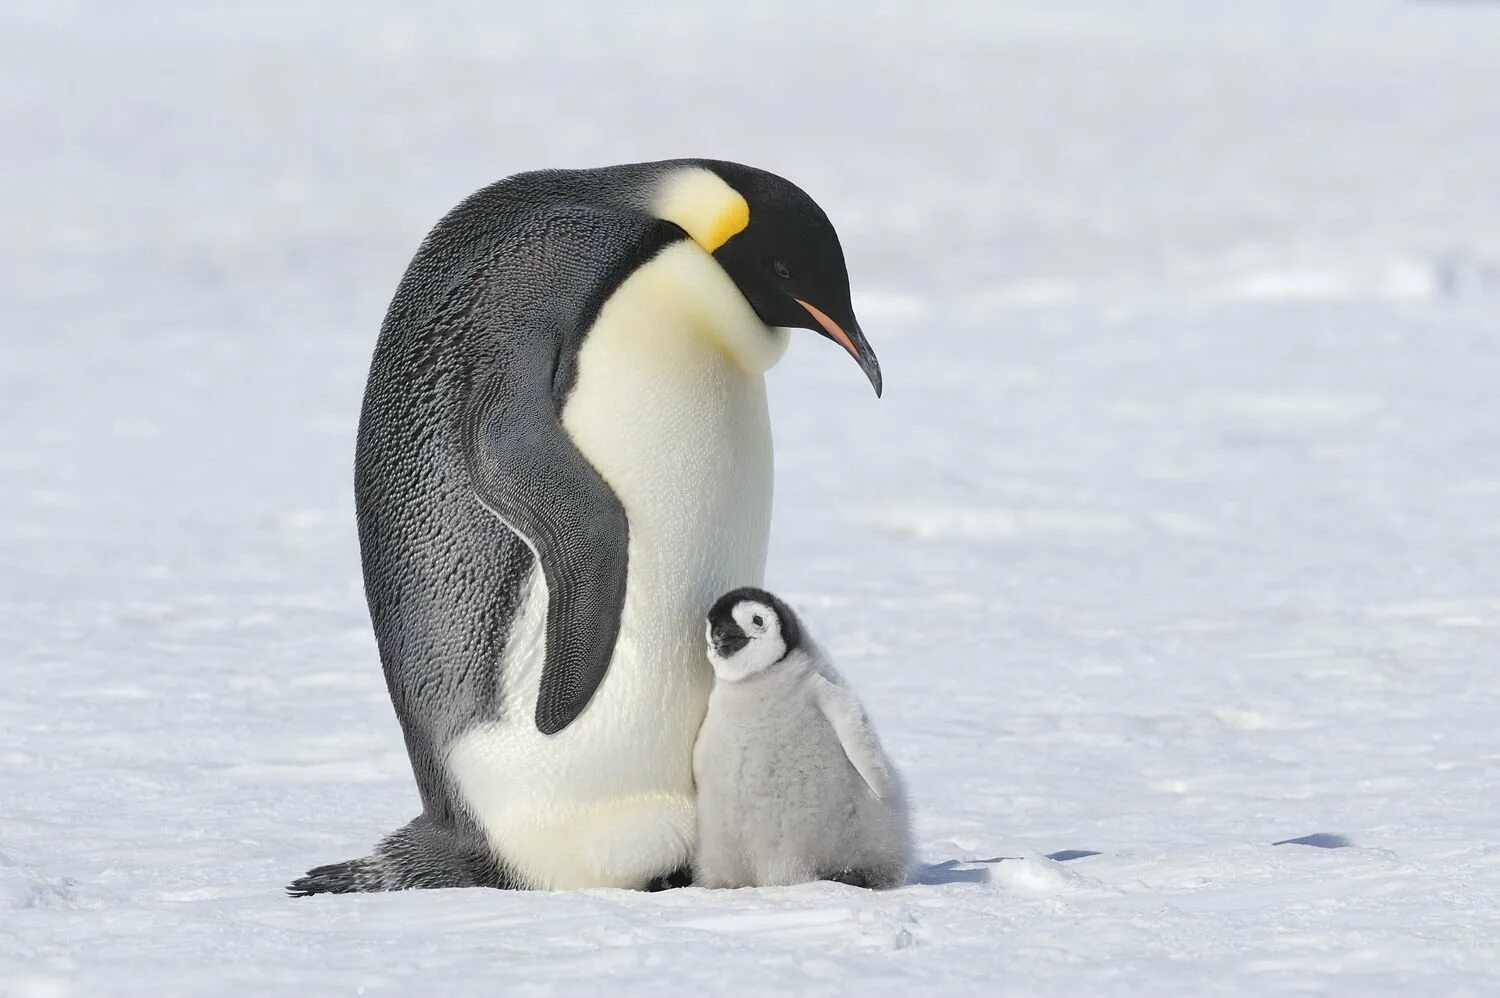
[{"x": 793, "y": 784}]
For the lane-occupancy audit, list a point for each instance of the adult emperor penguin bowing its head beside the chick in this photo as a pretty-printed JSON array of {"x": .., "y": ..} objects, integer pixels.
[{"x": 563, "y": 460}]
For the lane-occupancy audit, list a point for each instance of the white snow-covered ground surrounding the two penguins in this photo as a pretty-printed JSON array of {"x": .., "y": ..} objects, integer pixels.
[{"x": 1172, "y": 541}]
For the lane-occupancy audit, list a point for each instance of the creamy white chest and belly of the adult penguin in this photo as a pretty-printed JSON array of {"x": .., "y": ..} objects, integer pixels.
[{"x": 679, "y": 428}]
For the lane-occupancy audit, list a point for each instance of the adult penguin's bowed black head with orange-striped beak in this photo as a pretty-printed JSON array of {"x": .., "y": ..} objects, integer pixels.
[{"x": 788, "y": 263}]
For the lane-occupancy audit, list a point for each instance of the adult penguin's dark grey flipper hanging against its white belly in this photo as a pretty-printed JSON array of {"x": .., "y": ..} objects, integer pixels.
[{"x": 526, "y": 469}]
